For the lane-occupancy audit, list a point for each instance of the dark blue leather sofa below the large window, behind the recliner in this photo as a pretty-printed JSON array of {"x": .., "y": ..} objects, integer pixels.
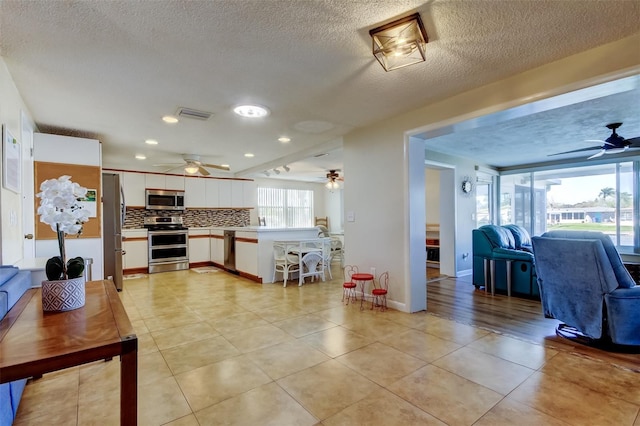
[{"x": 503, "y": 260}]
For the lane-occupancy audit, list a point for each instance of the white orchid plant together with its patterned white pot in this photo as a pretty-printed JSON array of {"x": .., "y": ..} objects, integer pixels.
[{"x": 61, "y": 209}]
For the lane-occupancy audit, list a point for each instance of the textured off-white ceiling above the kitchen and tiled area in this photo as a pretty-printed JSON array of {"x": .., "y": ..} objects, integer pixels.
[{"x": 111, "y": 69}]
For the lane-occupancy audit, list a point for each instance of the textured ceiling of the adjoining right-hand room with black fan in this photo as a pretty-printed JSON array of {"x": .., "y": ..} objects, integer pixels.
[{"x": 538, "y": 132}]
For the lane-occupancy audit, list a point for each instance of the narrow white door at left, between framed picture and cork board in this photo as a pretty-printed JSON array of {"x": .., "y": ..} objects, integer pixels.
[{"x": 28, "y": 197}]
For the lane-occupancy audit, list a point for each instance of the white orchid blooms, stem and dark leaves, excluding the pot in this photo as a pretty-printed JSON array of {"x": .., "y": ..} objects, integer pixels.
[{"x": 61, "y": 209}]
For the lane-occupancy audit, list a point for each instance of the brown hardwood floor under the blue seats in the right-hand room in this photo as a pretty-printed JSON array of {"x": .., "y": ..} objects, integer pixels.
[{"x": 458, "y": 299}]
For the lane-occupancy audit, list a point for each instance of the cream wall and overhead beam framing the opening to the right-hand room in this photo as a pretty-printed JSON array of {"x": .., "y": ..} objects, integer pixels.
[{"x": 381, "y": 202}]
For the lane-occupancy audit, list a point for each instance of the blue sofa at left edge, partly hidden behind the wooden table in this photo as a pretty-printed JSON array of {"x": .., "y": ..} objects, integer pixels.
[{"x": 13, "y": 284}]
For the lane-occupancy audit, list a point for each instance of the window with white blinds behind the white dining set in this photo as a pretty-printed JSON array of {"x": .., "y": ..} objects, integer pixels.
[{"x": 286, "y": 208}]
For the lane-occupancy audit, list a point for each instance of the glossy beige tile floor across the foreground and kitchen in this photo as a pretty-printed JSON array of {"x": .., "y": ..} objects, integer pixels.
[{"x": 218, "y": 349}]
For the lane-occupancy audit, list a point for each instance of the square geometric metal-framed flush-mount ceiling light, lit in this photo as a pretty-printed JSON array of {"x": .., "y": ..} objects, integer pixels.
[{"x": 400, "y": 43}]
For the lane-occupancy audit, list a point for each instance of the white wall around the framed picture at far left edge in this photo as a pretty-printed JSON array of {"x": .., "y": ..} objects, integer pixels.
[{"x": 11, "y": 235}]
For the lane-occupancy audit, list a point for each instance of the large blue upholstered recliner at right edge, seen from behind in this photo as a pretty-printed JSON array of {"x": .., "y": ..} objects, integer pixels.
[{"x": 584, "y": 283}]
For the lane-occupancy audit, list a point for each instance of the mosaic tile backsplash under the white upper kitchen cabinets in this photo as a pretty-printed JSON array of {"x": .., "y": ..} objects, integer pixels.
[{"x": 192, "y": 217}]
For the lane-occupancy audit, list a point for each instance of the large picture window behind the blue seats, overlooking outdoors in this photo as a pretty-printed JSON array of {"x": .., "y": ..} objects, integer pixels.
[{"x": 593, "y": 198}]
